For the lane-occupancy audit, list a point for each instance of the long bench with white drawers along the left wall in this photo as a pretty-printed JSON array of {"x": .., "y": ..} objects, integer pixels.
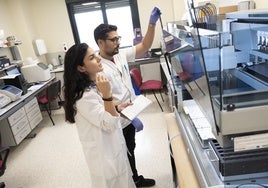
[{"x": 20, "y": 117}]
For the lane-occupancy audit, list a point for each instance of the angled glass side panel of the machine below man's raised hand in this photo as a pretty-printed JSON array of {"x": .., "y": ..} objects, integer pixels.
[{"x": 186, "y": 51}]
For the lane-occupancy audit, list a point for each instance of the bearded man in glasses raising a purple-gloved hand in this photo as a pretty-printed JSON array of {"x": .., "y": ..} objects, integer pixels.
[{"x": 115, "y": 64}]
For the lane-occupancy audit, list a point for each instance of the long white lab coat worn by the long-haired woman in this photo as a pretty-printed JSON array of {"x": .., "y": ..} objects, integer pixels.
[{"x": 103, "y": 143}]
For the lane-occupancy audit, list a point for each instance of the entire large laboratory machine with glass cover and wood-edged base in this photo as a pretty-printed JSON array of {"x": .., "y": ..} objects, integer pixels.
[{"x": 226, "y": 144}]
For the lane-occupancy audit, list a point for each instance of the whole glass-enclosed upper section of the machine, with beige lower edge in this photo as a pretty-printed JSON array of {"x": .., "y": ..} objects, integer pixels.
[{"x": 225, "y": 72}]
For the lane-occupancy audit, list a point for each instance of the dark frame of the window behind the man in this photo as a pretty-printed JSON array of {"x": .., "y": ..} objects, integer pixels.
[{"x": 71, "y": 3}]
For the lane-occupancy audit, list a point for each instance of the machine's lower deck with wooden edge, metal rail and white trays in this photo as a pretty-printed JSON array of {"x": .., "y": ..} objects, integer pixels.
[{"x": 189, "y": 136}]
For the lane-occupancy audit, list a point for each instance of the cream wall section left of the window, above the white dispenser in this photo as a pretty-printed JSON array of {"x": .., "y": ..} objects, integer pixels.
[{"x": 51, "y": 22}]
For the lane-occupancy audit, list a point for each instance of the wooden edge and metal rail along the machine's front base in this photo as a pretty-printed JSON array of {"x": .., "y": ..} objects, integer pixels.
[{"x": 193, "y": 165}]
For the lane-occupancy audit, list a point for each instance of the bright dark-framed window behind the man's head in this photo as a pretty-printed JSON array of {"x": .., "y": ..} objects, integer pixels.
[{"x": 85, "y": 16}]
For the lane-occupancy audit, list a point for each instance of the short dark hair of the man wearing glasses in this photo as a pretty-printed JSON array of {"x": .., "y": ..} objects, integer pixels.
[{"x": 101, "y": 31}]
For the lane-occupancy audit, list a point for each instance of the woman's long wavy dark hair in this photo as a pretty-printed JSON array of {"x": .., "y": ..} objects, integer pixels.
[{"x": 75, "y": 82}]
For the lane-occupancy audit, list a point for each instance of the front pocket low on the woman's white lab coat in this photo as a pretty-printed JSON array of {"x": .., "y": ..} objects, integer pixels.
[{"x": 116, "y": 166}]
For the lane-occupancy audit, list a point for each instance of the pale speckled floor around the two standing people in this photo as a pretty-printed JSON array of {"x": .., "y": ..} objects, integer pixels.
[{"x": 54, "y": 157}]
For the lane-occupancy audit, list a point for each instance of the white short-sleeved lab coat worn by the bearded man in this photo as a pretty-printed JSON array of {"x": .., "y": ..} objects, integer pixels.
[{"x": 119, "y": 77}]
